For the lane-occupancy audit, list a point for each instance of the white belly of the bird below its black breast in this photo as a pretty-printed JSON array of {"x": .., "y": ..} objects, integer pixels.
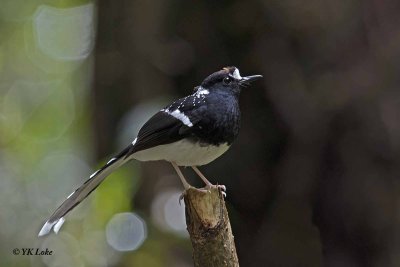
[{"x": 183, "y": 153}]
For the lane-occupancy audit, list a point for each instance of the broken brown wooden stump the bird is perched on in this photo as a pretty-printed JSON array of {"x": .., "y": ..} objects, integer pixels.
[{"x": 209, "y": 228}]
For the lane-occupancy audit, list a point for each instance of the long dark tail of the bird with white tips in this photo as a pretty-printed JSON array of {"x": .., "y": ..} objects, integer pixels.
[{"x": 56, "y": 220}]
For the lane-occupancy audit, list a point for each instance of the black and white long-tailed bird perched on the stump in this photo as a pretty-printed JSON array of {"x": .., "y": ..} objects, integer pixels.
[{"x": 192, "y": 131}]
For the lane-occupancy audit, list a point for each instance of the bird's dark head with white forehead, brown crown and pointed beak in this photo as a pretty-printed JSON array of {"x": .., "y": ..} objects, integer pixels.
[{"x": 228, "y": 79}]
